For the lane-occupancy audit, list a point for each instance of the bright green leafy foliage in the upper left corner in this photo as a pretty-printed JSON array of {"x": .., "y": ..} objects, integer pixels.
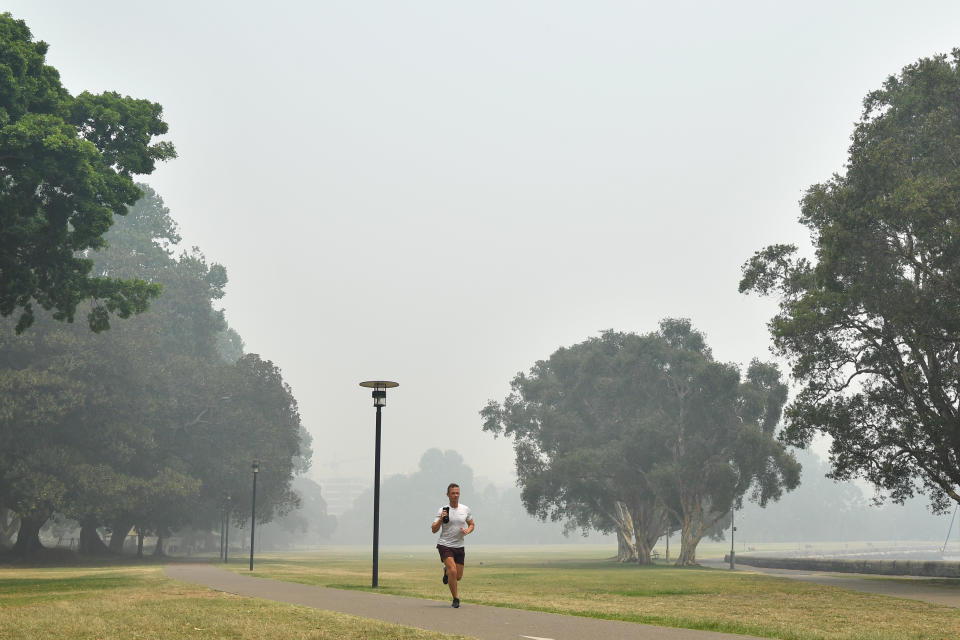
[{"x": 66, "y": 167}]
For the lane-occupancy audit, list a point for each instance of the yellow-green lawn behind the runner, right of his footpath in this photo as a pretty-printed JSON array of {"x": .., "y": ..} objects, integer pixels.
[{"x": 581, "y": 580}]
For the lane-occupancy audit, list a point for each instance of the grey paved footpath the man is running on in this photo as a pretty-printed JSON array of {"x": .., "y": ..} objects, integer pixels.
[{"x": 477, "y": 621}]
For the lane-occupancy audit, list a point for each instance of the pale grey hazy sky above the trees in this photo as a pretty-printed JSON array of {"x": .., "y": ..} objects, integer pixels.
[{"x": 442, "y": 193}]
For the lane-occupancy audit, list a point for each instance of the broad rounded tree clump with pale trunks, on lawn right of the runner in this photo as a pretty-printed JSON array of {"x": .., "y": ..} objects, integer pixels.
[{"x": 624, "y": 431}]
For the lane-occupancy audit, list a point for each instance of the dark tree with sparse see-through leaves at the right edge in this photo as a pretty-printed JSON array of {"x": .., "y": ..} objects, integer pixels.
[{"x": 871, "y": 324}]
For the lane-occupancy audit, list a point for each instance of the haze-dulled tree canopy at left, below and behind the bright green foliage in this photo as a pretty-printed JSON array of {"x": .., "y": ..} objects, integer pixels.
[{"x": 146, "y": 425}]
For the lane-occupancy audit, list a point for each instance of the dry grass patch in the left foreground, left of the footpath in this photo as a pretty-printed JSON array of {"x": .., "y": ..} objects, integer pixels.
[{"x": 134, "y": 602}]
